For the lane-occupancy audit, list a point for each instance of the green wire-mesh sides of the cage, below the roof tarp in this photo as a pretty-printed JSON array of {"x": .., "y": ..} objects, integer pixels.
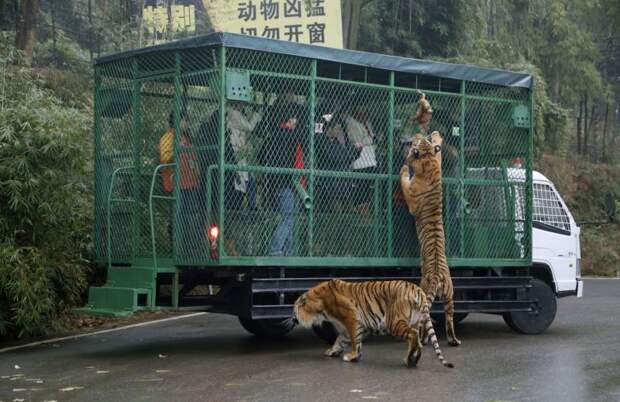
[{"x": 310, "y": 151}]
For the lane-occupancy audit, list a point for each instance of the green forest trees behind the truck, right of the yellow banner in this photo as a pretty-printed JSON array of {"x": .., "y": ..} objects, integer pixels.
[{"x": 558, "y": 41}]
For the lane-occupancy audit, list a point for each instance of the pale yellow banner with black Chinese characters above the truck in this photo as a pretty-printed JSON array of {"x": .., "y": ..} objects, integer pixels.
[{"x": 316, "y": 22}]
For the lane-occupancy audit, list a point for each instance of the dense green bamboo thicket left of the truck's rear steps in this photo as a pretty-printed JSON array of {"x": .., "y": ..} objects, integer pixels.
[{"x": 45, "y": 202}]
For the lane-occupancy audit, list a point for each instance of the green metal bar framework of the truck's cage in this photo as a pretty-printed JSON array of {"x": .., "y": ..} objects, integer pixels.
[{"x": 220, "y": 48}]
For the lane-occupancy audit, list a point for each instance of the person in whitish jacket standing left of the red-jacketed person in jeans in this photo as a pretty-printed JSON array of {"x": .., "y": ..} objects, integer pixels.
[{"x": 239, "y": 128}]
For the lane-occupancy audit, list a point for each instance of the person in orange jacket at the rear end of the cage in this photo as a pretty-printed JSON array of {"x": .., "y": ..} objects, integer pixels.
[{"x": 189, "y": 183}]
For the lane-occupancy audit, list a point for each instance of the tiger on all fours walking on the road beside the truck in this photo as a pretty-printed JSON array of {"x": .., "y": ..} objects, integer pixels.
[{"x": 364, "y": 308}]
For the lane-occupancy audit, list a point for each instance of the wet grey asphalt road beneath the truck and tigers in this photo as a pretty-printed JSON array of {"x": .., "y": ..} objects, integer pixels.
[{"x": 211, "y": 358}]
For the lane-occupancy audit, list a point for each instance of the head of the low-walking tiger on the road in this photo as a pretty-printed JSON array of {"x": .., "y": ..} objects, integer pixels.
[{"x": 310, "y": 307}]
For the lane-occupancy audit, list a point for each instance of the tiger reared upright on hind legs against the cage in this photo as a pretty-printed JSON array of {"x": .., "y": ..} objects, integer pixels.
[{"x": 423, "y": 194}]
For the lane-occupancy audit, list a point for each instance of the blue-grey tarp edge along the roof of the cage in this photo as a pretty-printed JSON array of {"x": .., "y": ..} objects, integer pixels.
[{"x": 365, "y": 59}]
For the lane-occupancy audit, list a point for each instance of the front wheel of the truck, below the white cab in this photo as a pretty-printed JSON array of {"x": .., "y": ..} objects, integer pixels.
[{"x": 535, "y": 322}]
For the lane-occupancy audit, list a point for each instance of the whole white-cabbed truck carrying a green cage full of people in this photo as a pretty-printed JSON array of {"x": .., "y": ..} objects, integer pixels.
[{"x": 232, "y": 173}]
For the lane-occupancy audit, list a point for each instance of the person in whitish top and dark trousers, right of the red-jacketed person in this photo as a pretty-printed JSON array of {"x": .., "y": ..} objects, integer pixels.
[{"x": 361, "y": 134}]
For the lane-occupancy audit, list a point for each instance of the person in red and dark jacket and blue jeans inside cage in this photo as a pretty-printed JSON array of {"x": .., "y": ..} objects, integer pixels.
[{"x": 283, "y": 148}]
